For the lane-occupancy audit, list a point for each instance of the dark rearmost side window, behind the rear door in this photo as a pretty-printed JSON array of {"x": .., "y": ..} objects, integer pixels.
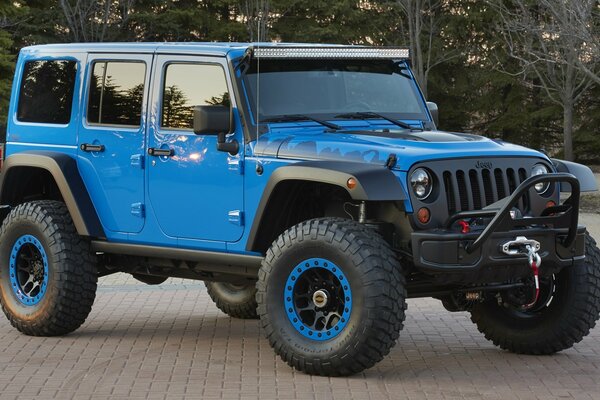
[{"x": 46, "y": 94}]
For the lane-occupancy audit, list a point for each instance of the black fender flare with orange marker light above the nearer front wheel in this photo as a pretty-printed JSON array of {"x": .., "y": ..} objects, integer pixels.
[{"x": 373, "y": 183}]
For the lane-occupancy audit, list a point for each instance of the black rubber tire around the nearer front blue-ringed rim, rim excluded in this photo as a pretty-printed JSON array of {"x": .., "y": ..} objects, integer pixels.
[{"x": 378, "y": 296}]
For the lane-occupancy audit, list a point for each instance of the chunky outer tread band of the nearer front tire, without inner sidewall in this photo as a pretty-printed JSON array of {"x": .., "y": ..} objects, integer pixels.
[{"x": 386, "y": 308}]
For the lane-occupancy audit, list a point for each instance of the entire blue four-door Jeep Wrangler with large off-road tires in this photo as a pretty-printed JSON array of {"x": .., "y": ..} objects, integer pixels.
[{"x": 307, "y": 185}]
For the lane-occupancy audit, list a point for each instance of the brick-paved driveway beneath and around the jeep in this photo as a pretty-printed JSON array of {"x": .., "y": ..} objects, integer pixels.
[{"x": 170, "y": 341}]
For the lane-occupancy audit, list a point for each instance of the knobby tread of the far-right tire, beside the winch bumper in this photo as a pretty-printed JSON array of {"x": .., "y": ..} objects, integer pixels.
[{"x": 585, "y": 311}]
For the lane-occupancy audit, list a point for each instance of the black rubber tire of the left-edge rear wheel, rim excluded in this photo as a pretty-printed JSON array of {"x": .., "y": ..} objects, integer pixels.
[{"x": 72, "y": 271}]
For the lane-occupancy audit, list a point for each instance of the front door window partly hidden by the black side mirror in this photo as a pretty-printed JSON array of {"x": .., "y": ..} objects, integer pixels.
[{"x": 190, "y": 85}]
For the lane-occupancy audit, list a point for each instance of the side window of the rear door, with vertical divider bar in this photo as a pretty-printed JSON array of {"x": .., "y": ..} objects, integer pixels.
[{"x": 116, "y": 93}]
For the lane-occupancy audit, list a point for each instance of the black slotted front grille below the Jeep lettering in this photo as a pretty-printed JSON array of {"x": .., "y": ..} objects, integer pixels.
[{"x": 477, "y": 188}]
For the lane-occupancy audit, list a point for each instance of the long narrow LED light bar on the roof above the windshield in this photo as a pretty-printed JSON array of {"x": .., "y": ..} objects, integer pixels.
[{"x": 338, "y": 52}]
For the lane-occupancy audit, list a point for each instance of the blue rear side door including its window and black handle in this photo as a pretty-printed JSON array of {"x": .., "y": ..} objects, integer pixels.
[{"x": 111, "y": 138}]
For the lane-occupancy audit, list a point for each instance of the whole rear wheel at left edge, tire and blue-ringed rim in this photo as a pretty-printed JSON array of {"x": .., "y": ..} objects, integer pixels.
[{"x": 48, "y": 274}]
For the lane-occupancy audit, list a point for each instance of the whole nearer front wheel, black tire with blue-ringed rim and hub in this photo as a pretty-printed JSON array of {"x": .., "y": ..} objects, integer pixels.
[{"x": 331, "y": 297}]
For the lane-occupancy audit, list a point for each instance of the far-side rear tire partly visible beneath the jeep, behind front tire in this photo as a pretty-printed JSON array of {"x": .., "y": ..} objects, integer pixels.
[{"x": 237, "y": 301}]
